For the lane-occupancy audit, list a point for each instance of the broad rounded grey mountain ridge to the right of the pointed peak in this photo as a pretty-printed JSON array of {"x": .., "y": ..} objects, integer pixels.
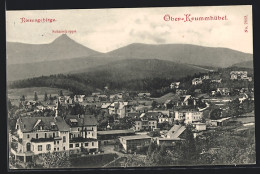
[{"x": 183, "y": 53}]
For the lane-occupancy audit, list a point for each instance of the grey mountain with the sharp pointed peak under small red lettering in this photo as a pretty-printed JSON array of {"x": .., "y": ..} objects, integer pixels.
[{"x": 60, "y": 49}]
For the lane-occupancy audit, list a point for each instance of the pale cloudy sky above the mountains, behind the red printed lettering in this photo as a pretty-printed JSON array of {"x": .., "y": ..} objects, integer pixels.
[{"x": 105, "y": 30}]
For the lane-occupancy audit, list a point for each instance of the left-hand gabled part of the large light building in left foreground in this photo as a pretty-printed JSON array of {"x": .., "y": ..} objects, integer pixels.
[{"x": 36, "y": 135}]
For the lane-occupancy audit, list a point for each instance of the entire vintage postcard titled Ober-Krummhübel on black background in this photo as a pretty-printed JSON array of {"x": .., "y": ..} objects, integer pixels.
[{"x": 130, "y": 87}]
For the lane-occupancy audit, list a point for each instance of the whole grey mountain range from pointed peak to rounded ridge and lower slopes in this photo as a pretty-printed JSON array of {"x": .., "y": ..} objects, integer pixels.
[{"x": 64, "y": 55}]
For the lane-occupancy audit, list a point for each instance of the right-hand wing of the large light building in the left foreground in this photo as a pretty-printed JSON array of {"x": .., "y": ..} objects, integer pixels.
[{"x": 83, "y": 133}]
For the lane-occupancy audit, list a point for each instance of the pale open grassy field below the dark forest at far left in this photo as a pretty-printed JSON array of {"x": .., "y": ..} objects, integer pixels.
[{"x": 29, "y": 92}]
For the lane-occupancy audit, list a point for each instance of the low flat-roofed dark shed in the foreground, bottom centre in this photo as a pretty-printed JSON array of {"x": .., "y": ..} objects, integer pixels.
[{"x": 131, "y": 143}]
